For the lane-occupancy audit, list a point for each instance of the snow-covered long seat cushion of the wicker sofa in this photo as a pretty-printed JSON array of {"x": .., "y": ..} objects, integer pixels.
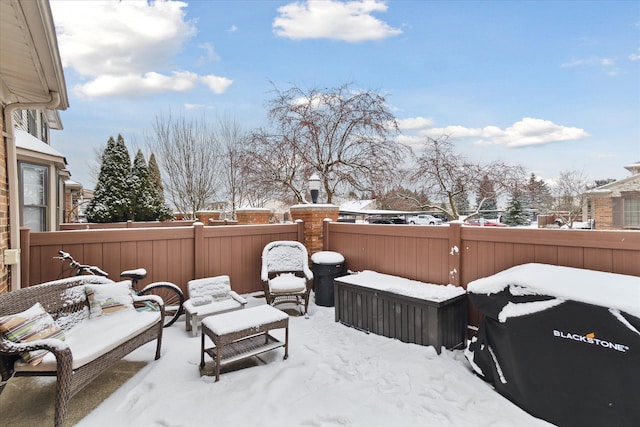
[{"x": 97, "y": 336}]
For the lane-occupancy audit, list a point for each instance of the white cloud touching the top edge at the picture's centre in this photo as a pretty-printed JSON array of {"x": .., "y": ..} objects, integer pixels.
[{"x": 349, "y": 21}]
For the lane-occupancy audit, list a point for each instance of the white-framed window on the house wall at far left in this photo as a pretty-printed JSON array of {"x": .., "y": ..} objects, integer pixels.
[{"x": 34, "y": 196}]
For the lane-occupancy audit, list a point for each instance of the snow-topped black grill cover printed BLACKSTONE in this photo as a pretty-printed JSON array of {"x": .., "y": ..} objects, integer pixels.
[{"x": 562, "y": 343}]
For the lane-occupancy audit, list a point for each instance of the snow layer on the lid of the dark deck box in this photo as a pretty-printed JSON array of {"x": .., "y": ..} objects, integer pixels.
[{"x": 403, "y": 286}]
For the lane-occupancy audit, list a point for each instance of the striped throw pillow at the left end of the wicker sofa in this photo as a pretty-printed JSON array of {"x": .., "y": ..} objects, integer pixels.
[{"x": 31, "y": 325}]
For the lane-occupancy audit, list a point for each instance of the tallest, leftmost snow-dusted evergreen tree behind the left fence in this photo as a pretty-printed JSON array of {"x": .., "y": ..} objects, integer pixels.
[{"x": 111, "y": 202}]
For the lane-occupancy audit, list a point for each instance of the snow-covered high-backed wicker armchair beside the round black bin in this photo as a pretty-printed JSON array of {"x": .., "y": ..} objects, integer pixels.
[{"x": 285, "y": 275}]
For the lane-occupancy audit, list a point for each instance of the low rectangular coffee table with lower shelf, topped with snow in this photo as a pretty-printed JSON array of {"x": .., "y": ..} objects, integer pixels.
[{"x": 242, "y": 334}]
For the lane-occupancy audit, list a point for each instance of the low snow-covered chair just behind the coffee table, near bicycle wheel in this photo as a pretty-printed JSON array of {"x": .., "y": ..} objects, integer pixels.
[{"x": 209, "y": 296}]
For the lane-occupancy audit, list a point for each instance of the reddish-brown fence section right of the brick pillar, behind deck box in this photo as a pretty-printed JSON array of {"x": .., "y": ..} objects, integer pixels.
[{"x": 458, "y": 254}]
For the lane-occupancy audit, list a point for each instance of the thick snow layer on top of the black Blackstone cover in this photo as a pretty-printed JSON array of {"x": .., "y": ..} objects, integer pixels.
[{"x": 588, "y": 286}]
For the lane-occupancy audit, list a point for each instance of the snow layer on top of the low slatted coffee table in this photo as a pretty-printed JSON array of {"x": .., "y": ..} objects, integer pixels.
[{"x": 239, "y": 320}]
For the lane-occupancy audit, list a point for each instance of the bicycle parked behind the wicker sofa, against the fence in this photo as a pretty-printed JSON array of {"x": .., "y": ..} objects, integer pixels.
[{"x": 171, "y": 294}]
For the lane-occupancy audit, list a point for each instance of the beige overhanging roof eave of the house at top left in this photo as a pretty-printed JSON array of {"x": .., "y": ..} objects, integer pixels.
[{"x": 30, "y": 65}]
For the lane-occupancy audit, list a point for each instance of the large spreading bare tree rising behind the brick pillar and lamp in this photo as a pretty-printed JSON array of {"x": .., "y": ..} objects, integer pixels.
[{"x": 341, "y": 134}]
